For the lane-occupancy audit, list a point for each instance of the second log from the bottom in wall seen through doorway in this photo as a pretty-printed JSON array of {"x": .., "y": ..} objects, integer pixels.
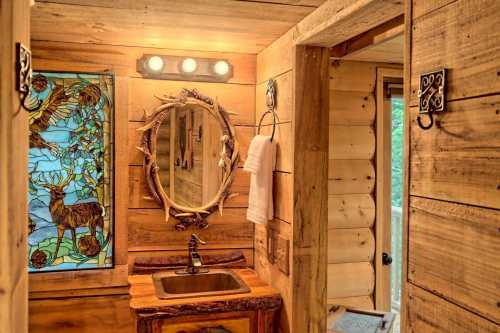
[{"x": 350, "y": 245}]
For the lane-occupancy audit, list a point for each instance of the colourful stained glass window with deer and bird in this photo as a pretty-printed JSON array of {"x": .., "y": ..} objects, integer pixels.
[{"x": 70, "y": 167}]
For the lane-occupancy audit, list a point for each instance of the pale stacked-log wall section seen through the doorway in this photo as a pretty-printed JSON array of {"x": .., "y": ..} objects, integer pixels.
[{"x": 351, "y": 184}]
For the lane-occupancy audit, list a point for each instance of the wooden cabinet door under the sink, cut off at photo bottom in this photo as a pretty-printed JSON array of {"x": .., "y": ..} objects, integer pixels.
[{"x": 234, "y": 325}]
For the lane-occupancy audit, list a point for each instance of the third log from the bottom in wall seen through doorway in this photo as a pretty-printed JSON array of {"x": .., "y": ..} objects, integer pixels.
[{"x": 351, "y": 211}]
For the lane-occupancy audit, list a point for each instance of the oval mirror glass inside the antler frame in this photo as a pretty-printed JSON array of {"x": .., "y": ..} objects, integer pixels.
[{"x": 188, "y": 153}]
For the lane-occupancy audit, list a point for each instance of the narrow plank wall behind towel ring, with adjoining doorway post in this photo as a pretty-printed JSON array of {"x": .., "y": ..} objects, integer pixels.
[{"x": 301, "y": 75}]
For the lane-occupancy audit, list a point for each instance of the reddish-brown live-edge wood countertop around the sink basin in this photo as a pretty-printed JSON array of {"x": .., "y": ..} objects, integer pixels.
[{"x": 144, "y": 303}]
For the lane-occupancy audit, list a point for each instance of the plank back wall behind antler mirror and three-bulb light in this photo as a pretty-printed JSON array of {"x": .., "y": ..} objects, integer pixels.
[{"x": 148, "y": 234}]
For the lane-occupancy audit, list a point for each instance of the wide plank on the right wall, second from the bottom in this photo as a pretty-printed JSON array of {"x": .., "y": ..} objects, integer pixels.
[{"x": 453, "y": 250}]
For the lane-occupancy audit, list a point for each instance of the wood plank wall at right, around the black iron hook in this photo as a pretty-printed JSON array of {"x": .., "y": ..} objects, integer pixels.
[{"x": 453, "y": 247}]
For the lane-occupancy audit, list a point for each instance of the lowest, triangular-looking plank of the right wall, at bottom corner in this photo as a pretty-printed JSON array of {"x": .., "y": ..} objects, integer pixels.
[{"x": 432, "y": 314}]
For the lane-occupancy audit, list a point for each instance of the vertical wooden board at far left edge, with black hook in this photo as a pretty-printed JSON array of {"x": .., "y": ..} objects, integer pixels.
[{"x": 14, "y": 27}]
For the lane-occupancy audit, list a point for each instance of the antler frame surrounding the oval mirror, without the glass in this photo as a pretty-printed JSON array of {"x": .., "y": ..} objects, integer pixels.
[{"x": 229, "y": 158}]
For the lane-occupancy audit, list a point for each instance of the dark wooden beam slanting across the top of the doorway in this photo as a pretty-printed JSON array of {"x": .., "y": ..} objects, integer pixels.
[{"x": 376, "y": 36}]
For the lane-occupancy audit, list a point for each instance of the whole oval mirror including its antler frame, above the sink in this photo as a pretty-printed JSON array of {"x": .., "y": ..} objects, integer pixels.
[{"x": 191, "y": 156}]
